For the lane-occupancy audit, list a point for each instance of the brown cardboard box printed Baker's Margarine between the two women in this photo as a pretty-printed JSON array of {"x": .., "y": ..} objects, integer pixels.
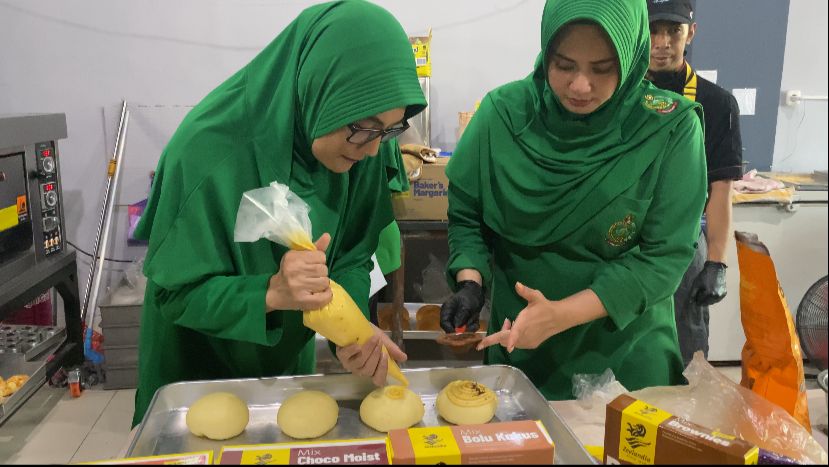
[{"x": 428, "y": 195}]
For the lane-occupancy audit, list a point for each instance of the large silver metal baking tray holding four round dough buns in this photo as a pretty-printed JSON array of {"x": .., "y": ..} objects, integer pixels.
[{"x": 164, "y": 430}]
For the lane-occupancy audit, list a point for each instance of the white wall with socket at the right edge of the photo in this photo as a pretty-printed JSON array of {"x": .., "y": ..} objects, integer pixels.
[{"x": 801, "y": 141}]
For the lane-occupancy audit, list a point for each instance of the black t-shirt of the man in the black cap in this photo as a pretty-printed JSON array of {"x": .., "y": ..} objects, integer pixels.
[{"x": 723, "y": 144}]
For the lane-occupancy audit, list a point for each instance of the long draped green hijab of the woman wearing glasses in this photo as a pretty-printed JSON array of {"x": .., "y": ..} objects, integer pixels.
[{"x": 336, "y": 63}]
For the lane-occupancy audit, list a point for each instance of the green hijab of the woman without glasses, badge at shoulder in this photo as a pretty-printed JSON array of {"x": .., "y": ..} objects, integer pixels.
[{"x": 542, "y": 171}]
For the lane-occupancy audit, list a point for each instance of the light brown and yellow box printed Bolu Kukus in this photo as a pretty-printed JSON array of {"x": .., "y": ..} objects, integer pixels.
[{"x": 522, "y": 442}]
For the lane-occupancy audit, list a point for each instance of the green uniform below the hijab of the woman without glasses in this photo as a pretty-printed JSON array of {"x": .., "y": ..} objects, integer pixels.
[{"x": 635, "y": 281}]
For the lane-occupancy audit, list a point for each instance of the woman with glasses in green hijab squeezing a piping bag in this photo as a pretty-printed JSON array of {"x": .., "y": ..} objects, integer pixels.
[{"x": 311, "y": 111}]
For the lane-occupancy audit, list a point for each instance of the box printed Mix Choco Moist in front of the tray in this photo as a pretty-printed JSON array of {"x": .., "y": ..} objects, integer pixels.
[{"x": 369, "y": 451}]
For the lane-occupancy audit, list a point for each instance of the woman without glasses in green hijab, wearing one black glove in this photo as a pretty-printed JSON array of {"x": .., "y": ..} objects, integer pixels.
[{"x": 576, "y": 194}]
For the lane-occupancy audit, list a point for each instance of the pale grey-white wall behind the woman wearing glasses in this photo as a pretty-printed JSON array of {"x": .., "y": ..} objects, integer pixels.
[{"x": 82, "y": 57}]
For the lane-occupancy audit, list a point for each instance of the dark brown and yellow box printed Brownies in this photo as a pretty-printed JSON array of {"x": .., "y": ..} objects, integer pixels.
[{"x": 639, "y": 433}]
